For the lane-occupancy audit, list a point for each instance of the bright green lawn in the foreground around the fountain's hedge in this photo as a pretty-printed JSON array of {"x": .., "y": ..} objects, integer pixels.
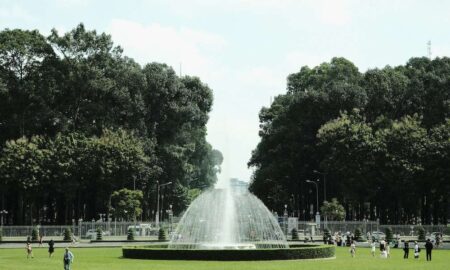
[{"x": 110, "y": 259}]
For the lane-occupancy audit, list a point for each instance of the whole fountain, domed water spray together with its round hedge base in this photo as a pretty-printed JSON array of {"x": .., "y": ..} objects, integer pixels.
[{"x": 223, "y": 224}]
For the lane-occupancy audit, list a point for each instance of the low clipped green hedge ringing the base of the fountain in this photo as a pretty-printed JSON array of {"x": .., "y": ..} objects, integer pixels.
[{"x": 293, "y": 253}]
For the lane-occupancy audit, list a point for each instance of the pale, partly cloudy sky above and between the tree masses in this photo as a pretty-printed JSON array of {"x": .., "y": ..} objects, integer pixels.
[{"x": 245, "y": 49}]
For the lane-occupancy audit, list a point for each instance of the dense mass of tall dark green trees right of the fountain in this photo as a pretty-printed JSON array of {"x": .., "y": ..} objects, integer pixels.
[{"x": 380, "y": 138}]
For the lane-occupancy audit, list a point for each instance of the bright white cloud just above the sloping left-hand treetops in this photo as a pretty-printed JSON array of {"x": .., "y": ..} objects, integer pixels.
[{"x": 157, "y": 43}]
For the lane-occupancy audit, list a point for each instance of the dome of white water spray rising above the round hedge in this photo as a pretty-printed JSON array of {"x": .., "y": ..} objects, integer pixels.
[{"x": 226, "y": 218}]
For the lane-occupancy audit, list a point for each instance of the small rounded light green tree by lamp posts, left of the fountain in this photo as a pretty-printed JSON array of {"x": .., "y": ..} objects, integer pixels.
[{"x": 127, "y": 204}]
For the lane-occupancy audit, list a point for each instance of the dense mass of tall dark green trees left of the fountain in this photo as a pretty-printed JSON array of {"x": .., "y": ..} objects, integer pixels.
[{"x": 79, "y": 121}]
